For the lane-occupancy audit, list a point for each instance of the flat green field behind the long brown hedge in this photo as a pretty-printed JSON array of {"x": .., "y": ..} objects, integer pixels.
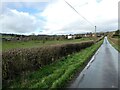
[{"x": 7, "y": 45}]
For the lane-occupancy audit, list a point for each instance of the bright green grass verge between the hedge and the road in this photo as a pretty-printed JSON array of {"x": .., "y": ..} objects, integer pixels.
[{"x": 57, "y": 74}]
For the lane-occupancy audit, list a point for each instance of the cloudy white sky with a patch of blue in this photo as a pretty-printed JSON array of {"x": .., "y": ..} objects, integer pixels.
[{"x": 57, "y": 17}]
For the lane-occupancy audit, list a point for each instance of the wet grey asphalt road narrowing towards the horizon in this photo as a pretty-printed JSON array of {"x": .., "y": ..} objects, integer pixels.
[{"x": 101, "y": 71}]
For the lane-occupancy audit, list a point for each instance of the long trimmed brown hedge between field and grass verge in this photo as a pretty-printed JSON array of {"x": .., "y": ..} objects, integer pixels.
[{"x": 19, "y": 61}]
